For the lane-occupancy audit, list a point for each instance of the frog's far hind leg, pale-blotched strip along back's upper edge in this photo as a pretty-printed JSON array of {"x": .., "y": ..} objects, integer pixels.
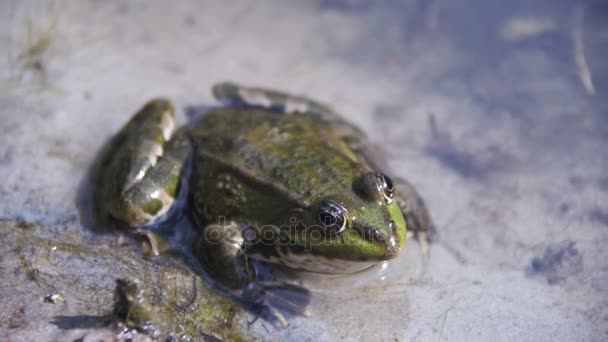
[{"x": 232, "y": 93}]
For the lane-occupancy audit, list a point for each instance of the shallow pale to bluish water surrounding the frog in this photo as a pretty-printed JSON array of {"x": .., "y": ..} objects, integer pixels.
[{"x": 495, "y": 110}]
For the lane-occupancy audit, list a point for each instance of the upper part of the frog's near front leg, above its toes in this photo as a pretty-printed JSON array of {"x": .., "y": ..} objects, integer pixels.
[{"x": 220, "y": 249}]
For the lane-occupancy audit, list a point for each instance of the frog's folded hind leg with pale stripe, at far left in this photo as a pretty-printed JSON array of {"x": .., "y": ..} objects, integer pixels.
[{"x": 140, "y": 173}]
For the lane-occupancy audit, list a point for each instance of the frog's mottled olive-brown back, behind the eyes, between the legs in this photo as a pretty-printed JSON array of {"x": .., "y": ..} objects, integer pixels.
[{"x": 296, "y": 157}]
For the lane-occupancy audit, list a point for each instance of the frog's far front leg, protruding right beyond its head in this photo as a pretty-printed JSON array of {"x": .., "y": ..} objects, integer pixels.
[{"x": 416, "y": 215}]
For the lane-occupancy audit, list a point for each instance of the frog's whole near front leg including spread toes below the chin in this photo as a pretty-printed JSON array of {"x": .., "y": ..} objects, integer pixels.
[{"x": 221, "y": 250}]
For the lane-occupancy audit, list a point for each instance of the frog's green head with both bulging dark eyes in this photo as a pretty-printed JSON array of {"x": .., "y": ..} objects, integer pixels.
[{"x": 349, "y": 231}]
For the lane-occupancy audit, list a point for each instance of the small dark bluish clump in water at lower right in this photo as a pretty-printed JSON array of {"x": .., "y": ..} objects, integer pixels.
[{"x": 558, "y": 262}]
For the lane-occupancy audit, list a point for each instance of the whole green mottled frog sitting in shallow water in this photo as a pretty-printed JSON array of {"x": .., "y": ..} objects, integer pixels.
[{"x": 269, "y": 178}]
